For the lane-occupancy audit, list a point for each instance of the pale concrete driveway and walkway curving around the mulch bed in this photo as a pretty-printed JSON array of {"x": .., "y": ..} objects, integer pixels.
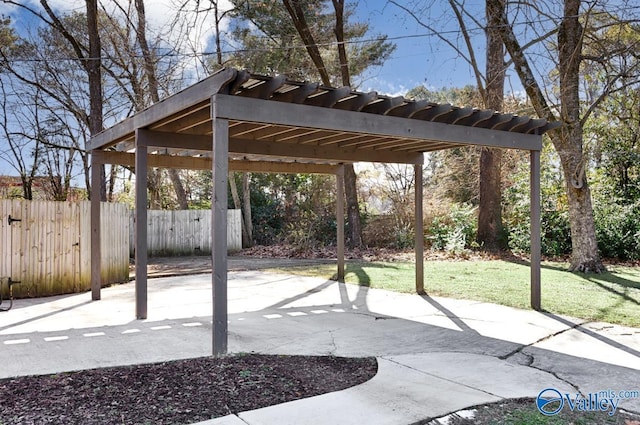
[{"x": 436, "y": 355}]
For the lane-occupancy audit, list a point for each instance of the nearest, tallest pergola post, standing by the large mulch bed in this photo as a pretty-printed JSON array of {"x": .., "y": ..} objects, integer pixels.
[{"x": 220, "y": 170}]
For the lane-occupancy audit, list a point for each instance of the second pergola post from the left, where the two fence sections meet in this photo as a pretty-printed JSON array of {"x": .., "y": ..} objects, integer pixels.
[{"x": 141, "y": 256}]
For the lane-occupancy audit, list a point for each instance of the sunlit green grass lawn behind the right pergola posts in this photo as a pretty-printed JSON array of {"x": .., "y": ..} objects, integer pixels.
[{"x": 613, "y": 296}]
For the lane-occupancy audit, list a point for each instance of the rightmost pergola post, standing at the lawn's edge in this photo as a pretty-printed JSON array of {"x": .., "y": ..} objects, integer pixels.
[{"x": 536, "y": 303}]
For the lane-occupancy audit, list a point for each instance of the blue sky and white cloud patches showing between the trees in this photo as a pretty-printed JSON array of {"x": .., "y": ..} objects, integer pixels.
[{"x": 420, "y": 56}]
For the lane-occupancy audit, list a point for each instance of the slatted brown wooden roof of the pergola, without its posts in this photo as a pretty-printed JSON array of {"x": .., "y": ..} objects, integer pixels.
[{"x": 309, "y": 114}]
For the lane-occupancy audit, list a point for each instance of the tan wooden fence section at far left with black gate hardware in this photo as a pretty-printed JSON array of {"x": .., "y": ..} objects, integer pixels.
[{"x": 46, "y": 245}]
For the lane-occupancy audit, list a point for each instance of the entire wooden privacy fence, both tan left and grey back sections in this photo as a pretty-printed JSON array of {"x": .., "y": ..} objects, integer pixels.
[{"x": 46, "y": 245}]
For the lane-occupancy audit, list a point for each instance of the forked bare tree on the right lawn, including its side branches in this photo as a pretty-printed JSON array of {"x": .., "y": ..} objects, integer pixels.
[{"x": 568, "y": 139}]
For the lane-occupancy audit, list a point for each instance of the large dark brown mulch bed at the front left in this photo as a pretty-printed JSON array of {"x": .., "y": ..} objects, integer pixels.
[{"x": 178, "y": 392}]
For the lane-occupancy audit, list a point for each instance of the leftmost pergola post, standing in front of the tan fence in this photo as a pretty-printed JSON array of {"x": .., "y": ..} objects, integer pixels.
[{"x": 96, "y": 254}]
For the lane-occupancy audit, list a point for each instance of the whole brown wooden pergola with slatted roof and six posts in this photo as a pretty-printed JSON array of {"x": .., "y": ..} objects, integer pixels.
[{"x": 236, "y": 120}]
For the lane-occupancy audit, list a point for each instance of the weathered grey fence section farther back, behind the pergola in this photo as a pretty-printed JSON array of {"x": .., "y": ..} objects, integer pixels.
[{"x": 185, "y": 232}]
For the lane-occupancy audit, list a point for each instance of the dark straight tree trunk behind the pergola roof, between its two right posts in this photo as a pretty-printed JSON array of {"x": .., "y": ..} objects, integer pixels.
[{"x": 490, "y": 231}]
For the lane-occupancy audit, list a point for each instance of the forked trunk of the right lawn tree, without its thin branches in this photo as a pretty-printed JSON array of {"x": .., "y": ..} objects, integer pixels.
[{"x": 568, "y": 139}]
